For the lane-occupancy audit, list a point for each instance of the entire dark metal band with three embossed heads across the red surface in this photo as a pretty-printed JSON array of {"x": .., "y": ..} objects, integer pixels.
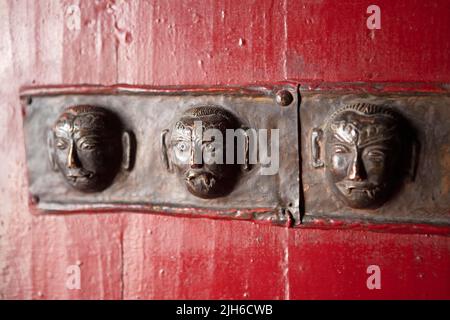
[{"x": 378, "y": 159}]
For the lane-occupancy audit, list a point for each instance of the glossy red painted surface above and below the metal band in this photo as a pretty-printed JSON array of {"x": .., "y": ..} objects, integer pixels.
[{"x": 131, "y": 255}]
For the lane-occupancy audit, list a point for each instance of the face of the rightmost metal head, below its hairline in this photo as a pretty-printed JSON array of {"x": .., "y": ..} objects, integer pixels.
[{"x": 360, "y": 170}]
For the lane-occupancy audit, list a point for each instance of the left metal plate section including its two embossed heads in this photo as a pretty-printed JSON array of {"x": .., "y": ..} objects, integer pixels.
[{"x": 159, "y": 119}]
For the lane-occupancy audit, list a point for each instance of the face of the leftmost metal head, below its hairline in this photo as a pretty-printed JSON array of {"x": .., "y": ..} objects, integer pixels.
[{"x": 88, "y": 158}]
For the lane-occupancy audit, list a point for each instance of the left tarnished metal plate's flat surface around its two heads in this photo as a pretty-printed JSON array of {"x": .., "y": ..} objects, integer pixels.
[{"x": 148, "y": 186}]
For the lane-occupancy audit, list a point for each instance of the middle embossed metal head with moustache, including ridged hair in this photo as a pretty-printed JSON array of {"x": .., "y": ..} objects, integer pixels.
[{"x": 195, "y": 156}]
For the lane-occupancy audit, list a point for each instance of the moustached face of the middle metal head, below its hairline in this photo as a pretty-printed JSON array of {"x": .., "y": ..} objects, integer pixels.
[{"x": 194, "y": 157}]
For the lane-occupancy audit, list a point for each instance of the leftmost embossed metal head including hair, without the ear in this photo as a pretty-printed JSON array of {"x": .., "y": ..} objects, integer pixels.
[{"x": 87, "y": 147}]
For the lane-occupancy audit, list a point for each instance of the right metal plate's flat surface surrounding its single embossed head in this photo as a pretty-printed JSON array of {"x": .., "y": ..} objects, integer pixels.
[{"x": 422, "y": 197}]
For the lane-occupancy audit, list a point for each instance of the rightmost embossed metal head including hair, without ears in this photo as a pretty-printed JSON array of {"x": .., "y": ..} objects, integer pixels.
[{"x": 363, "y": 154}]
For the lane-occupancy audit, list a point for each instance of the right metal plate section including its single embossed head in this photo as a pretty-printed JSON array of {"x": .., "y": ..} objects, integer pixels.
[{"x": 375, "y": 157}]
